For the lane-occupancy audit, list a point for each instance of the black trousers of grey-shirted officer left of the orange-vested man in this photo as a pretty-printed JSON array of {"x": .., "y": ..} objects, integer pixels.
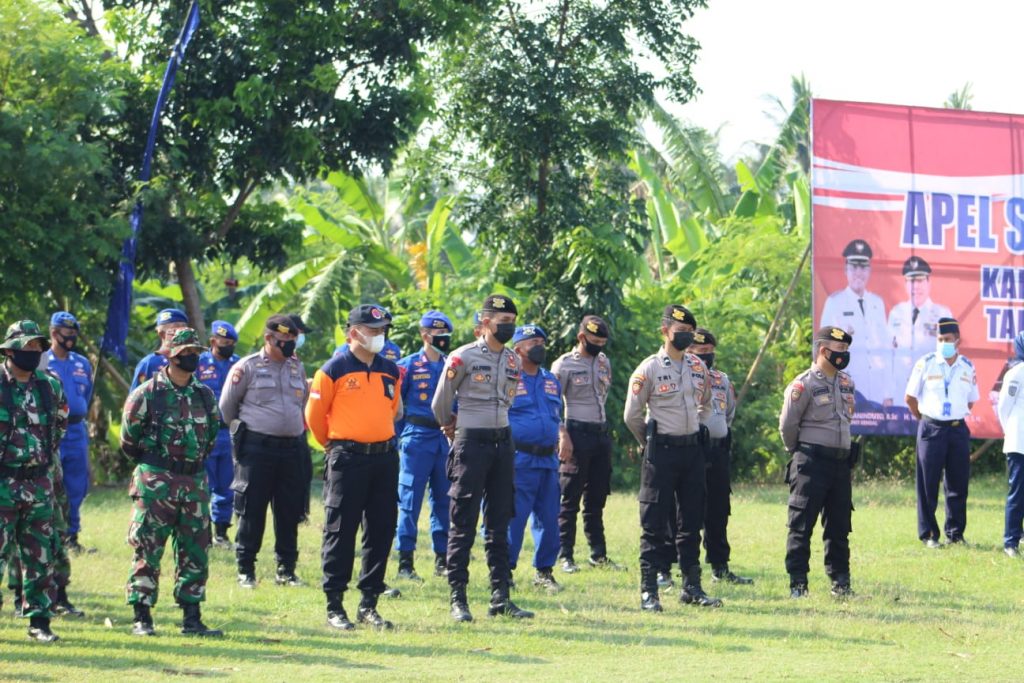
[{"x": 270, "y": 472}]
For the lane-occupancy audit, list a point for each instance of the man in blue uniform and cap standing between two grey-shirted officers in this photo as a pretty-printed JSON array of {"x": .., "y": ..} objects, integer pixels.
[{"x": 537, "y": 429}]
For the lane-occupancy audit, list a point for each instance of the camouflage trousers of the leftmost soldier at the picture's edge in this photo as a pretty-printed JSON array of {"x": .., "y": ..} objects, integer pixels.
[{"x": 27, "y": 528}]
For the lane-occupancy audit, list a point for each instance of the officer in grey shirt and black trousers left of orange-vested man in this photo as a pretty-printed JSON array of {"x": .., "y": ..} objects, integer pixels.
[{"x": 264, "y": 404}]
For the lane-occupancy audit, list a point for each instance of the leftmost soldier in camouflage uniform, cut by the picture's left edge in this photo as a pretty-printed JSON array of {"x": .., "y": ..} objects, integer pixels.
[{"x": 33, "y": 420}]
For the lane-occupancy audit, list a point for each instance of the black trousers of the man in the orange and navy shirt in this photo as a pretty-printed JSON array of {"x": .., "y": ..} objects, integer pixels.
[{"x": 359, "y": 489}]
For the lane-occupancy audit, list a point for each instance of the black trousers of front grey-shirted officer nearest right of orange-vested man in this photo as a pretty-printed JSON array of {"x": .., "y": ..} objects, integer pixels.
[{"x": 481, "y": 471}]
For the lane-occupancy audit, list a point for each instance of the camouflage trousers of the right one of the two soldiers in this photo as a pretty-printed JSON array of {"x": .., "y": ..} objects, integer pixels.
[{"x": 169, "y": 505}]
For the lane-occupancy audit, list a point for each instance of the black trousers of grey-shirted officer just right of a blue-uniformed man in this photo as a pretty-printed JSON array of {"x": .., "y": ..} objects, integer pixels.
[{"x": 588, "y": 477}]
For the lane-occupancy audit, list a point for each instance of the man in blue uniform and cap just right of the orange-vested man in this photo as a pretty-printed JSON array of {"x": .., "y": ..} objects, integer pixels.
[{"x": 423, "y": 447}]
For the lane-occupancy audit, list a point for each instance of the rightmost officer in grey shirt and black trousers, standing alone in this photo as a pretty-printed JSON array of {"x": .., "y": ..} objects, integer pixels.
[{"x": 816, "y": 429}]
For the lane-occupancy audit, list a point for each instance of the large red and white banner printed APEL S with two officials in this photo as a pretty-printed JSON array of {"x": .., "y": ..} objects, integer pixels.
[{"x": 918, "y": 215}]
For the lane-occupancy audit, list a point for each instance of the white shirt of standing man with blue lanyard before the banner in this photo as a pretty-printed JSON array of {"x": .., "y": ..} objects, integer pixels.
[{"x": 935, "y": 383}]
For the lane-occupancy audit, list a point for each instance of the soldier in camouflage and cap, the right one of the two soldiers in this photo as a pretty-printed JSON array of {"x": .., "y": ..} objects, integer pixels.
[{"x": 169, "y": 425}]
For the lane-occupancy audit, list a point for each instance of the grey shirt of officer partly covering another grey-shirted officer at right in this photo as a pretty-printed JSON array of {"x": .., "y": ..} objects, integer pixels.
[{"x": 675, "y": 394}]
